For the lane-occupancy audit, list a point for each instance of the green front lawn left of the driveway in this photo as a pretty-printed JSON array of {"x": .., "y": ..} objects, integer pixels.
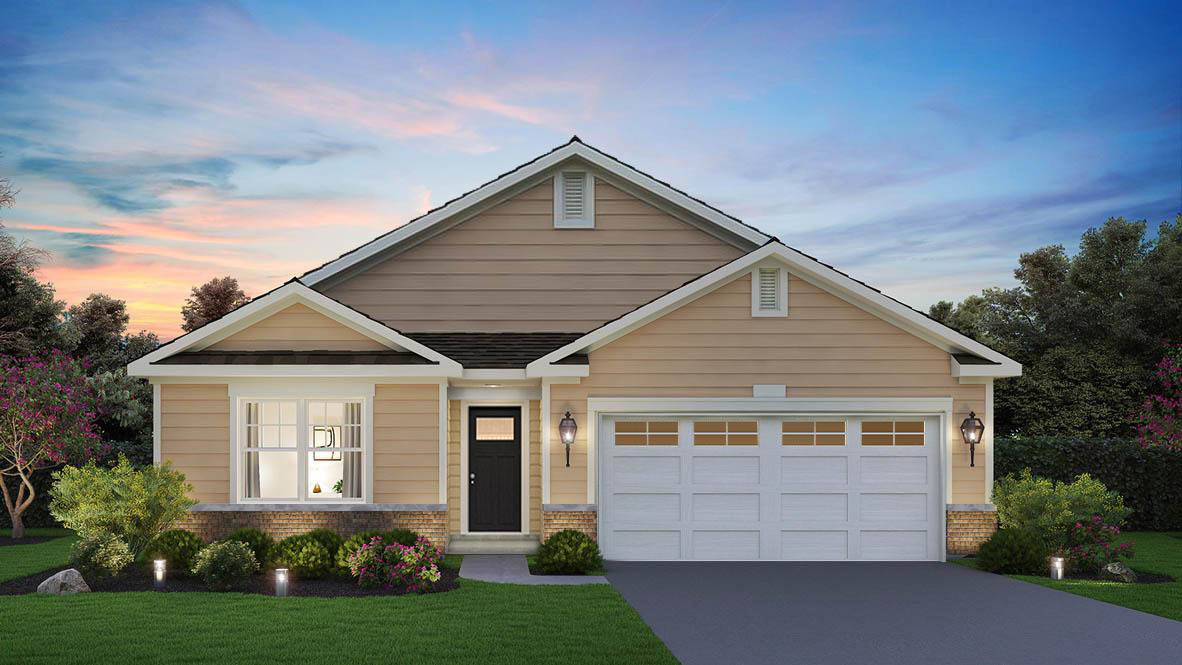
[{"x": 479, "y": 623}]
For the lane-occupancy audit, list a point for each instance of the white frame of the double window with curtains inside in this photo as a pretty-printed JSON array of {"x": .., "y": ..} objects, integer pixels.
[{"x": 303, "y": 448}]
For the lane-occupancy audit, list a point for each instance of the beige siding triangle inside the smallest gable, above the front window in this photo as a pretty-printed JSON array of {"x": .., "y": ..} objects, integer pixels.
[{"x": 297, "y": 329}]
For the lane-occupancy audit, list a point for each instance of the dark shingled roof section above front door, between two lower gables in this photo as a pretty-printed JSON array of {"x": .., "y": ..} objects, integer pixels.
[{"x": 498, "y": 351}]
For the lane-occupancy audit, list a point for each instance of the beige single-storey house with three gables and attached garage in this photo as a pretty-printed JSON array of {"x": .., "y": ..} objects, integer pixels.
[{"x": 580, "y": 345}]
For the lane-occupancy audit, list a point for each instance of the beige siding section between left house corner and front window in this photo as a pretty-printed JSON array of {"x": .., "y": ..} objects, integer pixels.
[{"x": 194, "y": 436}]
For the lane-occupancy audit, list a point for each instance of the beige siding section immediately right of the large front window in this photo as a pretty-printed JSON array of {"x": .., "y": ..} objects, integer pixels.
[{"x": 406, "y": 444}]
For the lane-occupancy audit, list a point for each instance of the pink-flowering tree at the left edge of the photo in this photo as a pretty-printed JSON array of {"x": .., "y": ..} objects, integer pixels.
[{"x": 47, "y": 419}]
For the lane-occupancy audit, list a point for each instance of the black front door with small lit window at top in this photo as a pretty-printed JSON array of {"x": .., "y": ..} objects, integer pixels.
[{"x": 495, "y": 470}]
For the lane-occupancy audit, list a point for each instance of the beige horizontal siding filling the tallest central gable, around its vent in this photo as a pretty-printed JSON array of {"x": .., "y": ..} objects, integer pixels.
[{"x": 510, "y": 270}]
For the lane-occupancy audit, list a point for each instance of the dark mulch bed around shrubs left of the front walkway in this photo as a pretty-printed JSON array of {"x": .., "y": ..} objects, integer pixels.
[{"x": 142, "y": 581}]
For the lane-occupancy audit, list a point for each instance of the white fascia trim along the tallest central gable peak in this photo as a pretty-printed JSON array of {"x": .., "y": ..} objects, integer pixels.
[{"x": 502, "y": 185}]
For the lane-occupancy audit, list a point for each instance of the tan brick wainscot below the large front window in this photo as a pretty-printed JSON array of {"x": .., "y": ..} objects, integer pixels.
[{"x": 213, "y": 525}]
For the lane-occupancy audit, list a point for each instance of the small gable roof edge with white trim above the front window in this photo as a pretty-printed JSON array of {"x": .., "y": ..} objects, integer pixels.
[{"x": 291, "y": 294}]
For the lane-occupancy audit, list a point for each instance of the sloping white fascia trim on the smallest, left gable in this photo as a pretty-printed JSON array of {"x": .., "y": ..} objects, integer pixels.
[{"x": 275, "y": 302}]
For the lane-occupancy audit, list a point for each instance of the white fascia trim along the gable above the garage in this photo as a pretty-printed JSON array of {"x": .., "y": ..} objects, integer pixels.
[{"x": 803, "y": 268}]
